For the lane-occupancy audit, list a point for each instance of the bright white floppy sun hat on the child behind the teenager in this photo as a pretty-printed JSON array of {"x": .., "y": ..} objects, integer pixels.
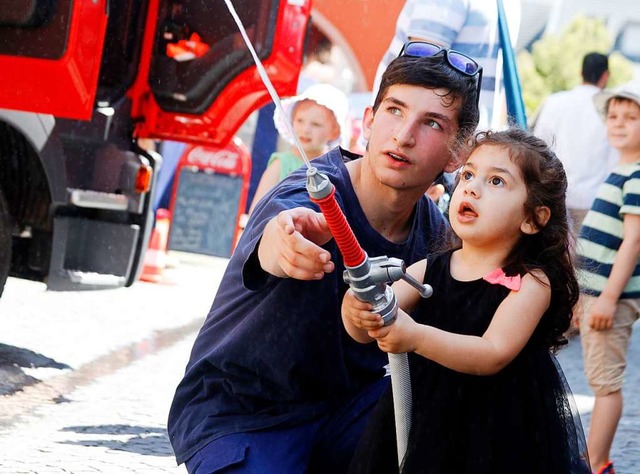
[{"x": 323, "y": 94}]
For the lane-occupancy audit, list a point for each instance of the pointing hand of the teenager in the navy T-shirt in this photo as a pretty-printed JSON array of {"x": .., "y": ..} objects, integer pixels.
[{"x": 290, "y": 245}]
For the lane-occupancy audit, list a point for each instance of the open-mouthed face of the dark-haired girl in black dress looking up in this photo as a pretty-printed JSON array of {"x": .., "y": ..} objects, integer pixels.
[{"x": 487, "y": 207}]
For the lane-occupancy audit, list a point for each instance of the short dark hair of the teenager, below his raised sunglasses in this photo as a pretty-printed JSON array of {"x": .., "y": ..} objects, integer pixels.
[{"x": 434, "y": 73}]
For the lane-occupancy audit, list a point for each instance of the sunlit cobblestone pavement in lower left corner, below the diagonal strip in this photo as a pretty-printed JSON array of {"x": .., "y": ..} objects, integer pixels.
[{"x": 116, "y": 425}]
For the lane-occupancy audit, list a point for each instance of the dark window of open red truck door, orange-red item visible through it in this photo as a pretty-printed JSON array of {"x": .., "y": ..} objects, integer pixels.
[{"x": 198, "y": 50}]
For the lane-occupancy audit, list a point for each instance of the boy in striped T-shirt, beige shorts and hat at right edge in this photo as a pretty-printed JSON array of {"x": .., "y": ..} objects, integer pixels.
[{"x": 608, "y": 250}]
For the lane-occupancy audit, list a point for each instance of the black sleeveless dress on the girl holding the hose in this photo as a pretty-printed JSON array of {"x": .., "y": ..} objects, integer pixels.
[{"x": 521, "y": 420}]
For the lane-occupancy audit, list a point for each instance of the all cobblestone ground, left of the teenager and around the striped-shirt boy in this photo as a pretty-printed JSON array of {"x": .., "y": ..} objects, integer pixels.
[{"x": 119, "y": 356}]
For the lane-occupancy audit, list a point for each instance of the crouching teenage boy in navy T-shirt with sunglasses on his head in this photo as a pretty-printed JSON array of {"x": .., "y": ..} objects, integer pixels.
[{"x": 274, "y": 383}]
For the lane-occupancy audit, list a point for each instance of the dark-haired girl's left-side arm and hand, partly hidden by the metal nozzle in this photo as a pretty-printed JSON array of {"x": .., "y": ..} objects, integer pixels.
[{"x": 357, "y": 316}]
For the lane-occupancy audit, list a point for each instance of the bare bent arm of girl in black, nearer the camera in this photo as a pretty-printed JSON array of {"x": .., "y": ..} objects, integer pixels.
[{"x": 511, "y": 327}]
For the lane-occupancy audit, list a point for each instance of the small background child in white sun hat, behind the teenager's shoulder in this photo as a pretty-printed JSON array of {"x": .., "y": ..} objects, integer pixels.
[{"x": 318, "y": 116}]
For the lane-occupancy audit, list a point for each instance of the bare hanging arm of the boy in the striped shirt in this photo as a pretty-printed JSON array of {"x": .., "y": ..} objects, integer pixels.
[{"x": 601, "y": 315}]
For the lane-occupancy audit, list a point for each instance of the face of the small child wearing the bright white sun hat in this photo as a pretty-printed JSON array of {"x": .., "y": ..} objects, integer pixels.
[{"x": 315, "y": 126}]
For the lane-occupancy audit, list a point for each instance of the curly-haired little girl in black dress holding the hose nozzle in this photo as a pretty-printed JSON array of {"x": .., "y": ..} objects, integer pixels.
[{"x": 488, "y": 395}]
